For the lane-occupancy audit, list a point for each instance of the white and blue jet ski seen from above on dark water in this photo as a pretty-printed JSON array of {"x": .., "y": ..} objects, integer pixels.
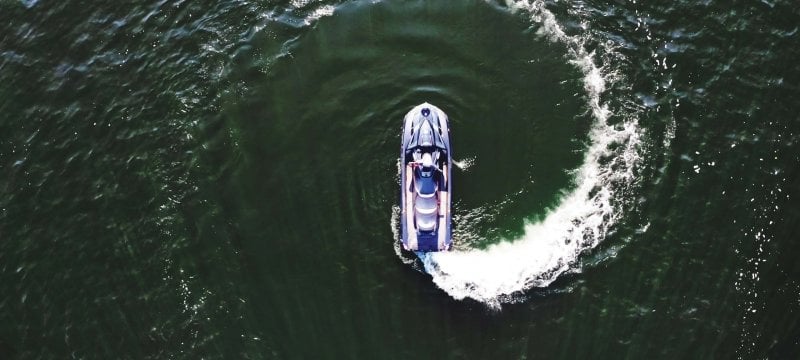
[{"x": 425, "y": 193}]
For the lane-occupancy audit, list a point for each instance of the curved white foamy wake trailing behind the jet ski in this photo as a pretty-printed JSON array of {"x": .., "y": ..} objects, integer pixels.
[{"x": 551, "y": 246}]
